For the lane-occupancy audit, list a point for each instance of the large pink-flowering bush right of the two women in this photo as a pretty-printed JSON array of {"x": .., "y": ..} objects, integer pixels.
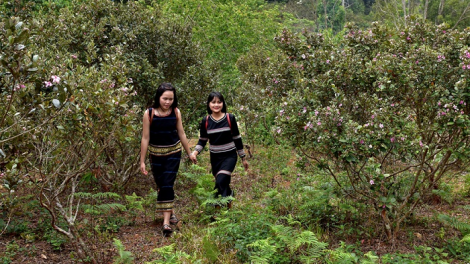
[{"x": 379, "y": 98}]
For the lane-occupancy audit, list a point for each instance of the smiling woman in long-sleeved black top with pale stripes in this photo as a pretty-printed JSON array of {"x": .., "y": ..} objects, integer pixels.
[{"x": 221, "y": 130}]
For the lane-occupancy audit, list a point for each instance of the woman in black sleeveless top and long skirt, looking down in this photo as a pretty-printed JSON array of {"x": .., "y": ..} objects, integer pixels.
[{"x": 163, "y": 135}]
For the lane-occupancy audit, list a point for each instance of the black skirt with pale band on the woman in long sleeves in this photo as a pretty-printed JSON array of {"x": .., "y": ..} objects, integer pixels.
[{"x": 223, "y": 165}]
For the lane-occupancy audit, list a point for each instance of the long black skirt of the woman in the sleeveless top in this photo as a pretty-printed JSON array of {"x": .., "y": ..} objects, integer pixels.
[{"x": 164, "y": 170}]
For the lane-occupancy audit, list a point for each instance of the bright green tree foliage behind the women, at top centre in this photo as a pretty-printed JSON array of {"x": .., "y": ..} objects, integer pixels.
[{"x": 227, "y": 29}]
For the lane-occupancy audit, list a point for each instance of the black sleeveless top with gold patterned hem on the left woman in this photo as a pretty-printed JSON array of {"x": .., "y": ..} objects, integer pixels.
[{"x": 164, "y": 139}]
